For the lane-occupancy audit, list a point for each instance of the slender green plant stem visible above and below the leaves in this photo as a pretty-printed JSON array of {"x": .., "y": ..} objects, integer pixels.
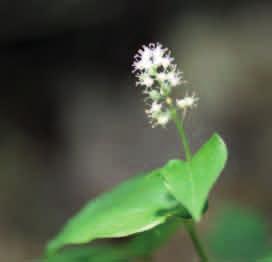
[{"x": 189, "y": 224}]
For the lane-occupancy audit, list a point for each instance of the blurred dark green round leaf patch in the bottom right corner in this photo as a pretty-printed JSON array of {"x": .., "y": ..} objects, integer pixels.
[{"x": 238, "y": 234}]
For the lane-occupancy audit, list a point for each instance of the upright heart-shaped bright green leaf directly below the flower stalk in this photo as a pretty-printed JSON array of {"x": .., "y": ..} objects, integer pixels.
[{"x": 191, "y": 182}]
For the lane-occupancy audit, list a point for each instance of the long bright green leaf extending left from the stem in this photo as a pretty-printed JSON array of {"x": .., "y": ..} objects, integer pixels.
[{"x": 134, "y": 206}]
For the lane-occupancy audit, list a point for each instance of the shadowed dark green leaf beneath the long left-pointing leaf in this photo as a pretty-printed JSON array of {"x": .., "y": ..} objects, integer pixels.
[{"x": 141, "y": 245}]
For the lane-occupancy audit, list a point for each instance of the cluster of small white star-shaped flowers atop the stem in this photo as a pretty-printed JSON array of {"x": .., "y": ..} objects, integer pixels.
[{"x": 156, "y": 72}]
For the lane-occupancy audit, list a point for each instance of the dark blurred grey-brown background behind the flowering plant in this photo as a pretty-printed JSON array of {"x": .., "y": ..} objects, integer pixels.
[{"x": 72, "y": 122}]
